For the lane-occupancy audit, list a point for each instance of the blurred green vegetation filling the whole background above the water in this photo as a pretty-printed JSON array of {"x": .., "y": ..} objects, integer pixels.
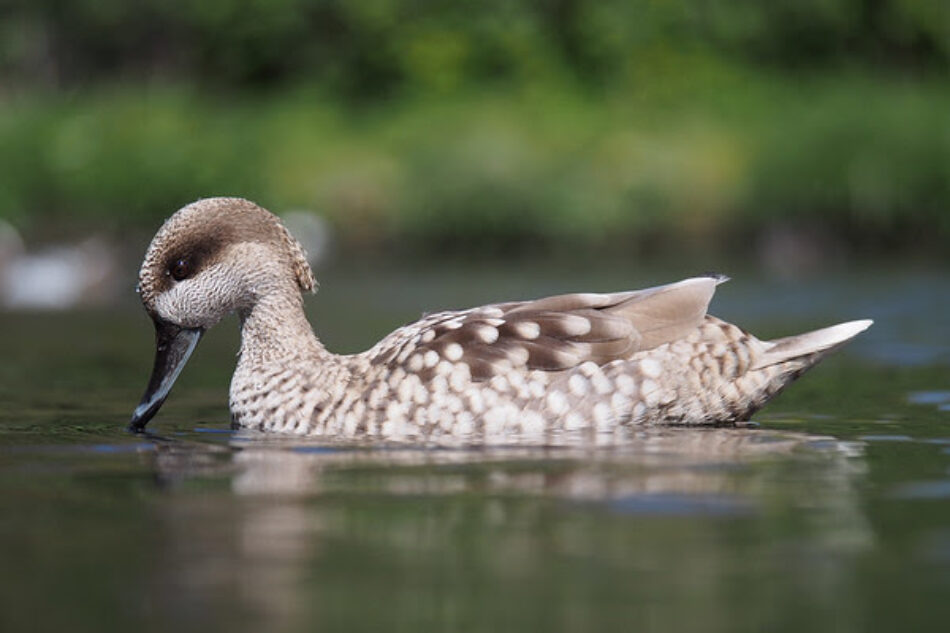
[{"x": 501, "y": 126}]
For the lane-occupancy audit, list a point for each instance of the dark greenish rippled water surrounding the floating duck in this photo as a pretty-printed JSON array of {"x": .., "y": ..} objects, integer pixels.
[{"x": 832, "y": 514}]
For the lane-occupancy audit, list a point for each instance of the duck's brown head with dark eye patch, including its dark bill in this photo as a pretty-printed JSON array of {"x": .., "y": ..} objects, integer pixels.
[{"x": 211, "y": 258}]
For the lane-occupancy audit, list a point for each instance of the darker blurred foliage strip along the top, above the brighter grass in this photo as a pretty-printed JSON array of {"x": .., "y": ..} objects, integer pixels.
[{"x": 374, "y": 47}]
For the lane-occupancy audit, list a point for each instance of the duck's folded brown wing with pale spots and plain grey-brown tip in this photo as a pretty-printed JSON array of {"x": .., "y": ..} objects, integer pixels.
[{"x": 552, "y": 334}]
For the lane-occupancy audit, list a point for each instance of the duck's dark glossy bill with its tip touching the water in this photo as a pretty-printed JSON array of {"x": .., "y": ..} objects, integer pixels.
[{"x": 173, "y": 347}]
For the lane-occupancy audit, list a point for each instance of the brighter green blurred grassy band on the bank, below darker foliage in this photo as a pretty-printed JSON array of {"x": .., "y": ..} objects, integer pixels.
[{"x": 547, "y": 165}]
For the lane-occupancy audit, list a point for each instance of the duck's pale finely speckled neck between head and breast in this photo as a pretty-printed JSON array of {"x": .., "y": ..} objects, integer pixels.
[{"x": 275, "y": 329}]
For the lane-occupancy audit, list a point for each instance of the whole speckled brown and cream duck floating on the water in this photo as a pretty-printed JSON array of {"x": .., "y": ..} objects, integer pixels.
[{"x": 593, "y": 365}]
